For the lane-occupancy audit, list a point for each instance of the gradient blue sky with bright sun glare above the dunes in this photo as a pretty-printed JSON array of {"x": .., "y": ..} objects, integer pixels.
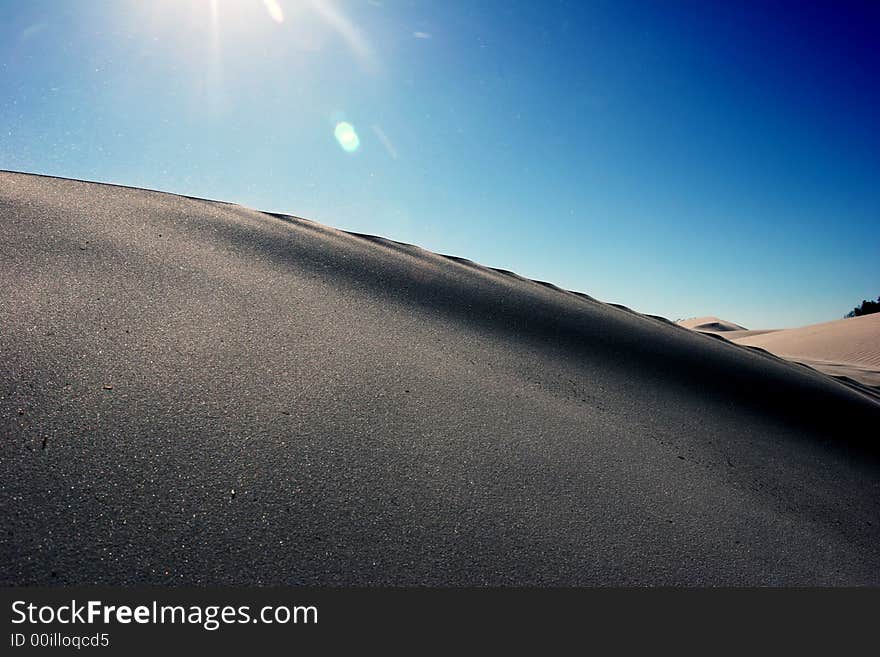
[{"x": 682, "y": 158}]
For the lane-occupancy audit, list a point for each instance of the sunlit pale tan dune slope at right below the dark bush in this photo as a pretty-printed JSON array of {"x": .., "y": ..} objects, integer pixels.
[{"x": 844, "y": 347}]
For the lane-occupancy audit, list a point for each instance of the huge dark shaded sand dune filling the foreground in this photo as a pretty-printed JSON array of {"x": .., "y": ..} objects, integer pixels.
[{"x": 195, "y": 392}]
